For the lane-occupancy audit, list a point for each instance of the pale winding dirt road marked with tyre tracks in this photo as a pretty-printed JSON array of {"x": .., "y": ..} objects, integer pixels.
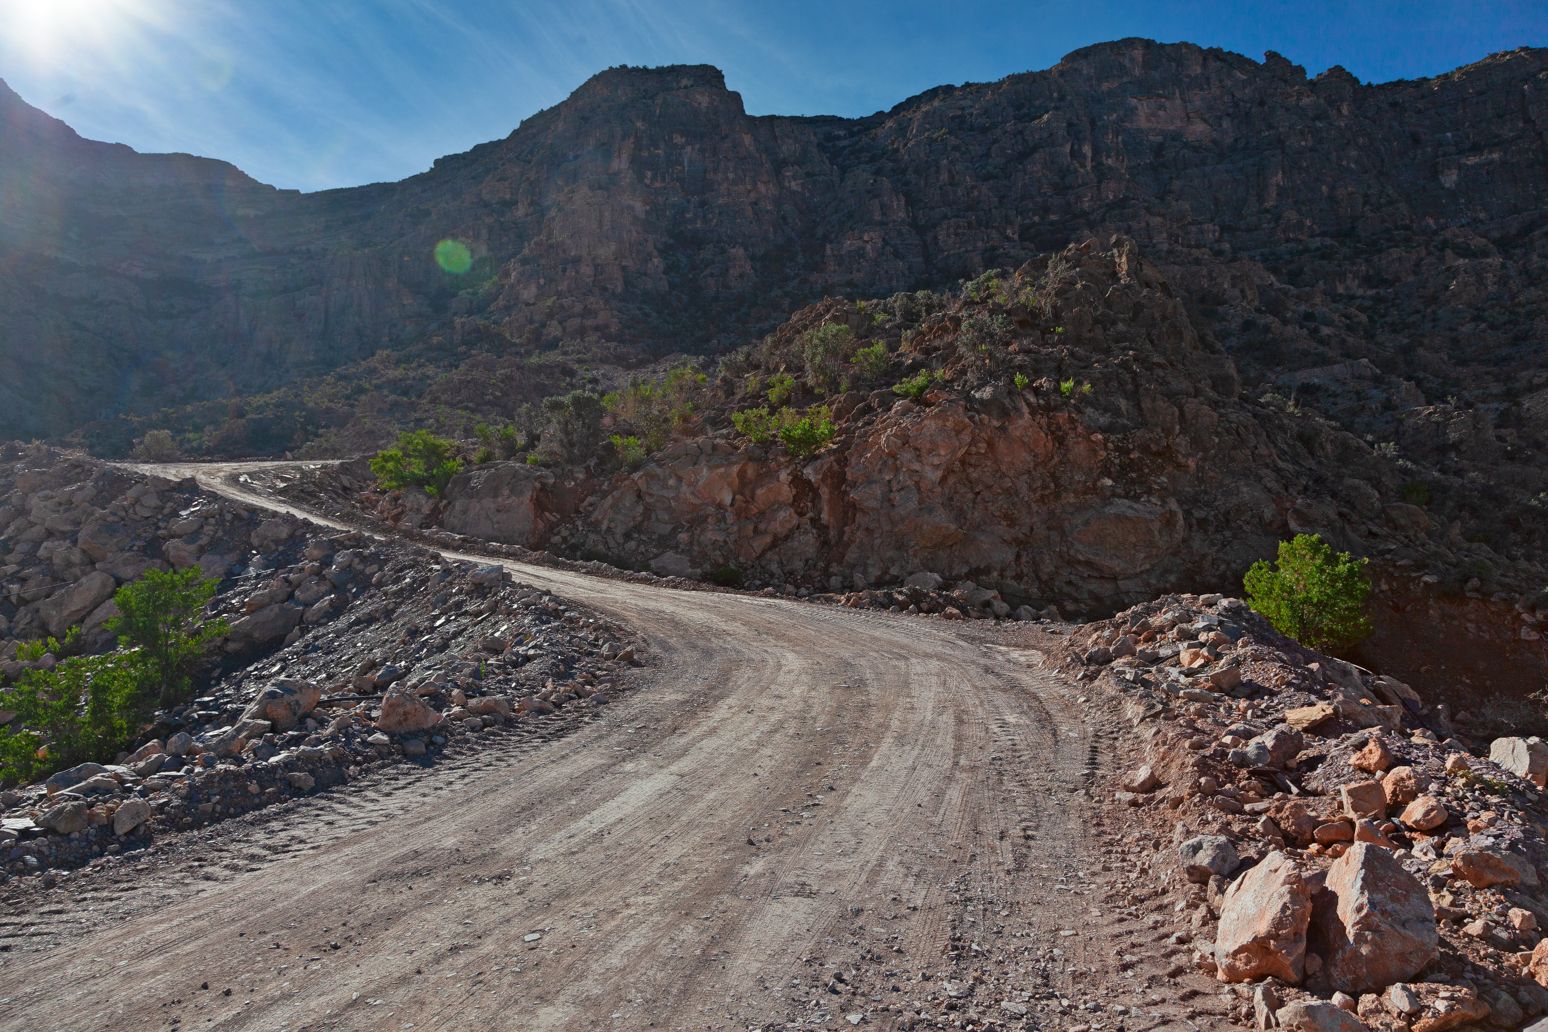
[{"x": 809, "y": 818}]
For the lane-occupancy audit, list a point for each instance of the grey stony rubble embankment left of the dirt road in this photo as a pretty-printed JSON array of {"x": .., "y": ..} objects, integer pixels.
[{"x": 344, "y": 652}]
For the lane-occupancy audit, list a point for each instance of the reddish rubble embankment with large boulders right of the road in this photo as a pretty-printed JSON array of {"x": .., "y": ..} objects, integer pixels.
[{"x": 1337, "y": 846}]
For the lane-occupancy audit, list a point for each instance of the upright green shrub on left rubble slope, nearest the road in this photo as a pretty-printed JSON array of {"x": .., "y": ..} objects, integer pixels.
[{"x": 162, "y": 618}]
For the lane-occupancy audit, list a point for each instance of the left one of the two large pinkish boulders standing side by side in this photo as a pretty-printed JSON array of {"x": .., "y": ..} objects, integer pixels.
[{"x": 1264, "y": 924}]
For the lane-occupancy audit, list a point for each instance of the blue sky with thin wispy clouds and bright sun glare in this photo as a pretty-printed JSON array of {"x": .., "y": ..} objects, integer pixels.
[{"x": 323, "y": 94}]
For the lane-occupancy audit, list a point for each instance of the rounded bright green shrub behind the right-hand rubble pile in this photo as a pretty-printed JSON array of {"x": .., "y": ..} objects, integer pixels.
[{"x": 1312, "y": 595}]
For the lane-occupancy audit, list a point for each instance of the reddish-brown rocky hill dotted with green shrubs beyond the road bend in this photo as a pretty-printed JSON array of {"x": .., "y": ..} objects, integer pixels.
[{"x": 1061, "y": 436}]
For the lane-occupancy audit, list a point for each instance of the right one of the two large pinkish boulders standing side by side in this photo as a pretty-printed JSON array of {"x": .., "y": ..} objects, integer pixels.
[{"x": 1372, "y": 921}]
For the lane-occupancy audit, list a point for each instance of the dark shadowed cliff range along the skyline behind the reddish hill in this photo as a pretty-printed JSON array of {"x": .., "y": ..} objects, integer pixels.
[{"x": 1375, "y": 242}]
